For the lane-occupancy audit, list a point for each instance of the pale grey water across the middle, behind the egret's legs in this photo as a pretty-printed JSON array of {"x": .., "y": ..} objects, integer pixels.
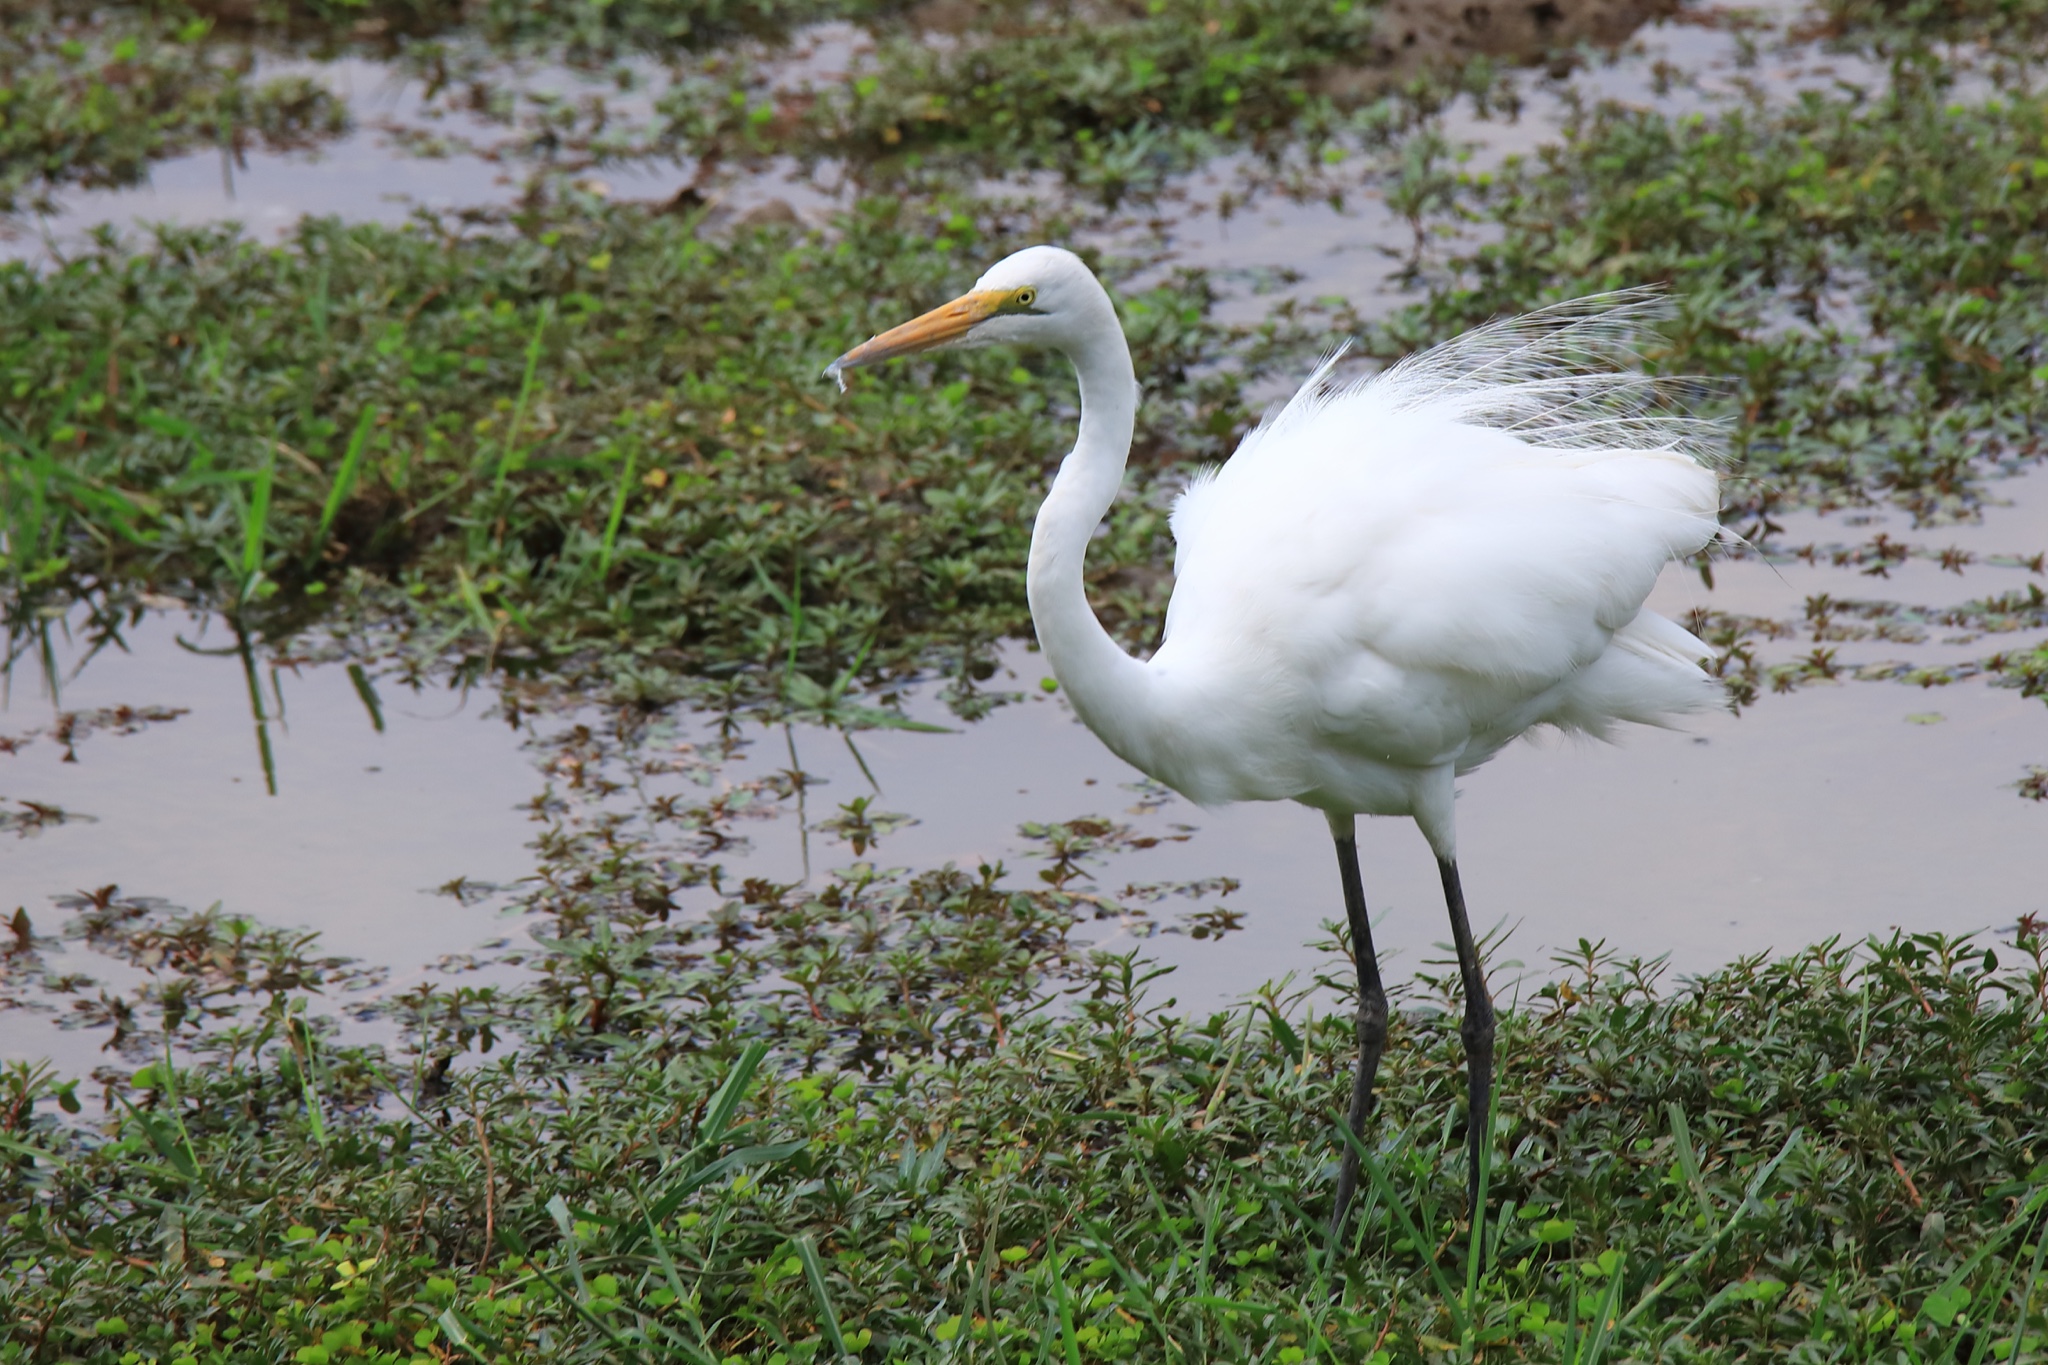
[{"x": 1840, "y": 809}]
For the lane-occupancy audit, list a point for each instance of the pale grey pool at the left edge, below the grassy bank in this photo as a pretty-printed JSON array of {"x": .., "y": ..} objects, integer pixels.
[{"x": 339, "y": 828}]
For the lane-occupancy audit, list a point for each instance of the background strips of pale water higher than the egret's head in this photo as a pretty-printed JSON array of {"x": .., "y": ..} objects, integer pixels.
[{"x": 1267, "y": 245}]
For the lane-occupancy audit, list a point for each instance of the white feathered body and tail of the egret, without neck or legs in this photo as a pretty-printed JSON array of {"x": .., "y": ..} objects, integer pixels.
[{"x": 1402, "y": 574}]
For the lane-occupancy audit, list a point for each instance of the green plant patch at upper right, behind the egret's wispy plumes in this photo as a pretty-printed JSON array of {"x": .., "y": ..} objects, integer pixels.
[{"x": 1865, "y": 269}]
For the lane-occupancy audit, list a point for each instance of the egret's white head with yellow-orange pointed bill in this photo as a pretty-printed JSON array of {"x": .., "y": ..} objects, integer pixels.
[{"x": 1039, "y": 298}]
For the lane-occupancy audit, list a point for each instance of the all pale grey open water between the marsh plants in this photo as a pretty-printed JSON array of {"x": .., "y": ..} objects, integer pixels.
[{"x": 1840, "y": 809}]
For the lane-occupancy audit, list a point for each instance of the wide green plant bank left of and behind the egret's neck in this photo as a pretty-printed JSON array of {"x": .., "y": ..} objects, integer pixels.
[{"x": 601, "y": 431}]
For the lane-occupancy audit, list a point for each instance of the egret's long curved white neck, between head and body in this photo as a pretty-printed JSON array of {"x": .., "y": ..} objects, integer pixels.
[{"x": 1103, "y": 682}]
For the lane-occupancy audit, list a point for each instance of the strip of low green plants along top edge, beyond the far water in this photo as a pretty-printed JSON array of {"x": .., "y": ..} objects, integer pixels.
[{"x": 1113, "y": 99}]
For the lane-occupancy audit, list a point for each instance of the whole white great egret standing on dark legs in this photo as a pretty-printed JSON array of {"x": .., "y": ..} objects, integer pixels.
[{"x": 1385, "y": 584}]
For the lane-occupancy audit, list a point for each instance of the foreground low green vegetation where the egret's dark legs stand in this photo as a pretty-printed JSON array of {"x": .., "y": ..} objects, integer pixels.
[{"x": 900, "y": 1116}]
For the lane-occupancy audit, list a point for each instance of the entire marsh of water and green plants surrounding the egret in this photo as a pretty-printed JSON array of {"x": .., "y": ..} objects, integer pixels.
[{"x": 480, "y": 576}]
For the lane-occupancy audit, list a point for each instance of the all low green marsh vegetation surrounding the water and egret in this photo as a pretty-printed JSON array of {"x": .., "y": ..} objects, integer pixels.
[{"x": 906, "y": 1114}]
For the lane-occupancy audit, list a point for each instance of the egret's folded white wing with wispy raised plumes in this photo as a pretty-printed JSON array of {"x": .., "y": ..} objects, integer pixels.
[{"x": 1492, "y": 511}]
